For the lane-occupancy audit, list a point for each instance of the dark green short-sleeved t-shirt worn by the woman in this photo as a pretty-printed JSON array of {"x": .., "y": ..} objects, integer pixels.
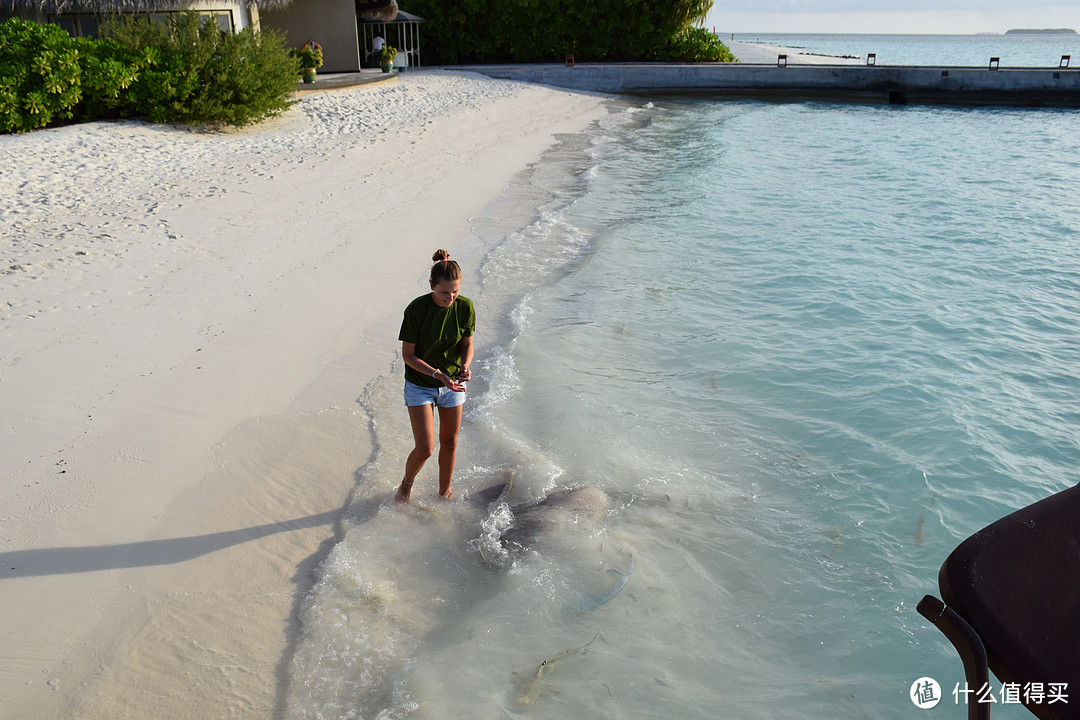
[{"x": 437, "y": 333}]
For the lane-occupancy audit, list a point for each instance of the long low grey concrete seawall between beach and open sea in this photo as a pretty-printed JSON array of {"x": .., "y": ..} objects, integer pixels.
[{"x": 887, "y": 85}]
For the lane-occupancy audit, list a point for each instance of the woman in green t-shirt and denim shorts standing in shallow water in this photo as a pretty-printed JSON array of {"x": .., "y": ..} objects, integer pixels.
[{"x": 438, "y": 349}]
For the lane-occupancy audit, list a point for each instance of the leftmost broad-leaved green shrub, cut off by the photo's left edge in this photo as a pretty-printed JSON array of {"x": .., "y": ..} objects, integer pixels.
[{"x": 39, "y": 76}]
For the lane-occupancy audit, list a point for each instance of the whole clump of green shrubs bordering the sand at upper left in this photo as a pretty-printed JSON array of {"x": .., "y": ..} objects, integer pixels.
[{"x": 185, "y": 72}]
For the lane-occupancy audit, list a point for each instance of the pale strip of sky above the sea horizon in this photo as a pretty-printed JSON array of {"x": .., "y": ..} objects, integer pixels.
[{"x": 873, "y": 17}]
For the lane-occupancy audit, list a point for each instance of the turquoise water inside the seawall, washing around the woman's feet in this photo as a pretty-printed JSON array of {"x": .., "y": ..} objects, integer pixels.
[{"x": 803, "y": 349}]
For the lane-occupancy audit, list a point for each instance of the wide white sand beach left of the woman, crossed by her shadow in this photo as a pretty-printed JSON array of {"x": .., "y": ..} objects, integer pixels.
[{"x": 187, "y": 321}]
